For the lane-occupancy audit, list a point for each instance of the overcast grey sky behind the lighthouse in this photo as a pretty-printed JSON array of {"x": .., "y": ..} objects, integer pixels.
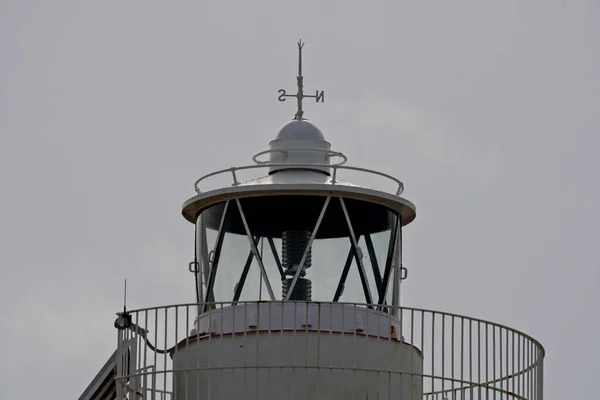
[{"x": 110, "y": 110}]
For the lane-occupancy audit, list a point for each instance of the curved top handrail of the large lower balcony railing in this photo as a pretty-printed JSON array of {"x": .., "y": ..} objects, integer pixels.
[{"x": 400, "y": 309}]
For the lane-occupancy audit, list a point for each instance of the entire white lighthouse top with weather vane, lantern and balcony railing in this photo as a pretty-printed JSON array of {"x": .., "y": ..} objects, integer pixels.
[{"x": 298, "y": 276}]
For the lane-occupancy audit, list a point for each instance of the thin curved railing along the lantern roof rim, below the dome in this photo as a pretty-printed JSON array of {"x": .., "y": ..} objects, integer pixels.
[{"x": 334, "y": 167}]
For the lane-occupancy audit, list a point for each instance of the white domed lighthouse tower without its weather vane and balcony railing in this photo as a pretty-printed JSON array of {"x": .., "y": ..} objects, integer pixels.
[{"x": 290, "y": 241}]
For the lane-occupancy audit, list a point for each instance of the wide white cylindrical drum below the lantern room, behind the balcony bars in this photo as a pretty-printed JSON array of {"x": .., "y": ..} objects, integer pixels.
[{"x": 297, "y": 366}]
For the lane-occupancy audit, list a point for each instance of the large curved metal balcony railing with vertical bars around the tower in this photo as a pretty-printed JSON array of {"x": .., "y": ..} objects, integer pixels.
[{"x": 446, "y": 356}]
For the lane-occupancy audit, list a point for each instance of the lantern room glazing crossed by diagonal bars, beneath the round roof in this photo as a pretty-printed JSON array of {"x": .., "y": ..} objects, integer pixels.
[{"x": 286, "y": 223}]
